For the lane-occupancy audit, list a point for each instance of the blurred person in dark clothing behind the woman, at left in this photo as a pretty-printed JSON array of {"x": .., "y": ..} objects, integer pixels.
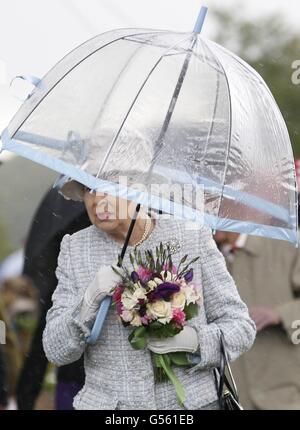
[{"x": 54, "y": 218}]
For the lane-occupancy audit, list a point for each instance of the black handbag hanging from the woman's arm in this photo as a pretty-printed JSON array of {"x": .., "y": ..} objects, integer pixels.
[{"x": 227, "y": 390}]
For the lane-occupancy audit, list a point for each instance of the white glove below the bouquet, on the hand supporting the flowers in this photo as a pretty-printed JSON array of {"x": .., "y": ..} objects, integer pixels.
[{"x": 186, "y": 340}]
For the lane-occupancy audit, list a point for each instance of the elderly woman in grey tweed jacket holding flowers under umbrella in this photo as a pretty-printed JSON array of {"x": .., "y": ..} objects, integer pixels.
[{"x": 118, "y": 376}]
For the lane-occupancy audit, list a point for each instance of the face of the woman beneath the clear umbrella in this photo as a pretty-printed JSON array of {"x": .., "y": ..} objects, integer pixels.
[{"x": 106, "y": 212}]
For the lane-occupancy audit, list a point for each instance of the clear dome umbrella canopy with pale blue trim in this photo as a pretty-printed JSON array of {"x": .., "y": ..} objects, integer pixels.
[{"x": 103, "y": 110}]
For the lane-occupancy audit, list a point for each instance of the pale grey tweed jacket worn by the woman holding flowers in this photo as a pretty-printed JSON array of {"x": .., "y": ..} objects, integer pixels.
[{"x": 117, "y": 376}]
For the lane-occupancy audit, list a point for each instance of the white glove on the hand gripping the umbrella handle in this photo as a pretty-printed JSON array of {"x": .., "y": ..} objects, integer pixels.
[{"x": 101, "y": 286}]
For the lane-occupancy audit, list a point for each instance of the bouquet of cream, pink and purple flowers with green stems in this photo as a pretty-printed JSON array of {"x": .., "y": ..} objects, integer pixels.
[{"x": 156, "y": 298}]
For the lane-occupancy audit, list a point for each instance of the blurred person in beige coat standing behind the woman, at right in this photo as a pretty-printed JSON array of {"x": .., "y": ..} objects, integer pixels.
[{"x": 267, "y": 275}]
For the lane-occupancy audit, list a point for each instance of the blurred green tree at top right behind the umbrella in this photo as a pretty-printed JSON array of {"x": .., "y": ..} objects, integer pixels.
[{"x": 270, "y": 46}]
